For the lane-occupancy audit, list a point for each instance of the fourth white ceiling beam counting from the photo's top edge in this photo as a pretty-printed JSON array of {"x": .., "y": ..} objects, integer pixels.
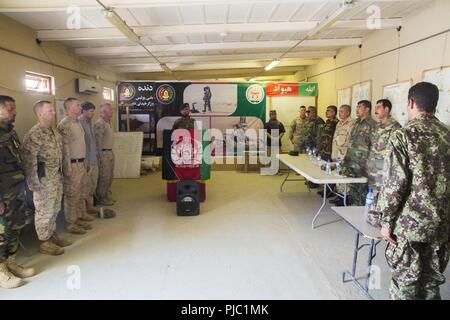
[{"x": 215, "y": 58}]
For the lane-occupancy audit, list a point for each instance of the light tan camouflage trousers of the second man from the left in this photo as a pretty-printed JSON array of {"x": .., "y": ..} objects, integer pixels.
[{"x": 47, "y": 202}]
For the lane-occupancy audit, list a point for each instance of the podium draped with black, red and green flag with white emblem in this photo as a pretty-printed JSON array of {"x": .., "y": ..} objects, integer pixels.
[{"x": 183, "y": 159}]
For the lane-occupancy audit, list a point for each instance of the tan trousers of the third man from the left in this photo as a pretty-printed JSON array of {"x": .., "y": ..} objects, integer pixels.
[{"x": 74, "y": 193}]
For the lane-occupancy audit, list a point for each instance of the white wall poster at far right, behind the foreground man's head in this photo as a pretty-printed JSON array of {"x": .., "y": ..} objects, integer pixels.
[{"x": 441, "y": 78}]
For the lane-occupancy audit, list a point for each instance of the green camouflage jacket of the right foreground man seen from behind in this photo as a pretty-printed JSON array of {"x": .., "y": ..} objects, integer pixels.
[{"x": 414, "y": 198}]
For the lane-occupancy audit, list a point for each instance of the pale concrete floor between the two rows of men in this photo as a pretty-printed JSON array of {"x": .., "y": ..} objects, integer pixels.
[{"x": 249, "y": 242}]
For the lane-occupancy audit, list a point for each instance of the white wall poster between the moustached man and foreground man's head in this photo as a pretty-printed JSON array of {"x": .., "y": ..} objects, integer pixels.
[{"x": 397, "y": 93}]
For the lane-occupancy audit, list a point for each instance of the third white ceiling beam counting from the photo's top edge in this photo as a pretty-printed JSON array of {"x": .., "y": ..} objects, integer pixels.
[{"x": 123, "y": 50}]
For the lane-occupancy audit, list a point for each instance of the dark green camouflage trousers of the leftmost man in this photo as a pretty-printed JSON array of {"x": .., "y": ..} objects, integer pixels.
[{"x": 11, "y": 222}]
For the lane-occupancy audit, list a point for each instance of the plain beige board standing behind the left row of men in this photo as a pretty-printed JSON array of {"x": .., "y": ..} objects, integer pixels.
[{"x": 128, "y": 153}]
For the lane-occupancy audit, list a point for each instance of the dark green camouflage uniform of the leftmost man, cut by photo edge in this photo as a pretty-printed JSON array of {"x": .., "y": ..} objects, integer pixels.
[{"x": 12, "y": 192}]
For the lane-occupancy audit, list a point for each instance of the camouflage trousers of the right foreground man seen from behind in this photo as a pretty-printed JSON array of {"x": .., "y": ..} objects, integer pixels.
[{"x": 417, "y": 269}]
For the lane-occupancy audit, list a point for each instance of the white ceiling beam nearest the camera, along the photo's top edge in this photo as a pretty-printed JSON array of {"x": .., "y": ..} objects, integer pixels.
[{"x": 57, "y": 5}]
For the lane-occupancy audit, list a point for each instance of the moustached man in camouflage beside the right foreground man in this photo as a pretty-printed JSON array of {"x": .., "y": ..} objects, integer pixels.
[{"x": 381, "y": 134}]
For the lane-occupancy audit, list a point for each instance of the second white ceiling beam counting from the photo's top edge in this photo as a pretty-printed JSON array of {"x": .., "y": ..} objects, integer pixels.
[{"x": 278, "y": 27}]
